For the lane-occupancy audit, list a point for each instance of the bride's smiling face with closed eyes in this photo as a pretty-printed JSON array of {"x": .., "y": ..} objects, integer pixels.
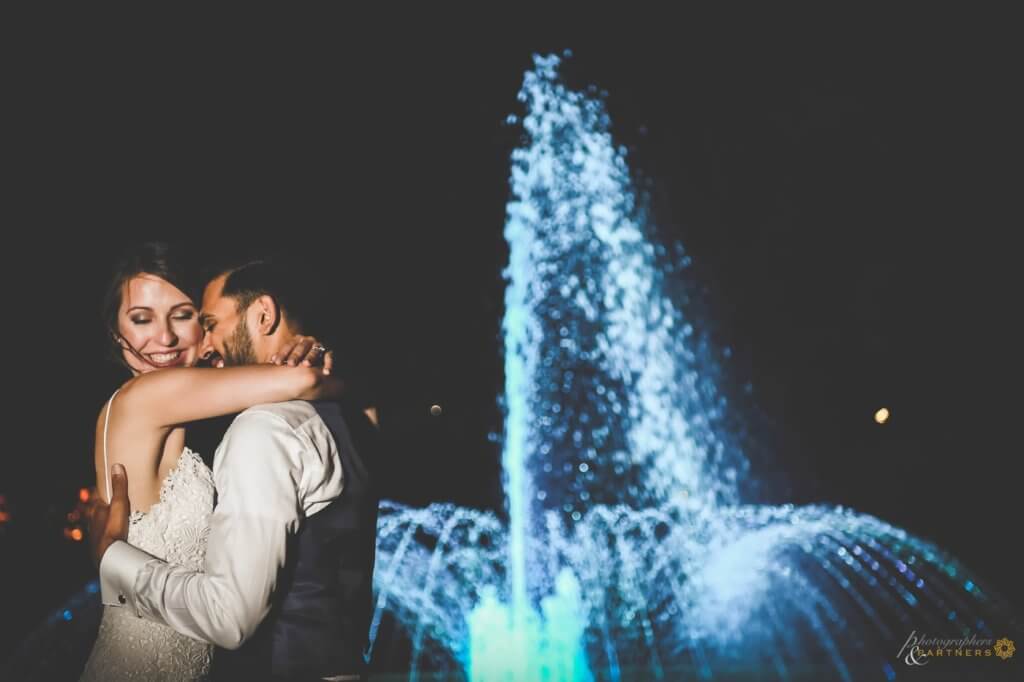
[{"x": 160, "y": 323}]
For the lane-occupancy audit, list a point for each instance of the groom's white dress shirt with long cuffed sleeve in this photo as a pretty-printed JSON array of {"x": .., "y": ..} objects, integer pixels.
[{"x": 277, "y": 465}]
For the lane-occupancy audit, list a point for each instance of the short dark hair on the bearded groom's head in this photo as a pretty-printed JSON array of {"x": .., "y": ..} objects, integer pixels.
[{"x": 283, "y": 282}]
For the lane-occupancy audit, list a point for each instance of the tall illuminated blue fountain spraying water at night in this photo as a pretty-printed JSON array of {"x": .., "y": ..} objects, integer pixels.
[{"x": 630, "y": 551}]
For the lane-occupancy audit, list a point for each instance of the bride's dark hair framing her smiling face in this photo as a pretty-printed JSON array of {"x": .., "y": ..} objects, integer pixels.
[{"x": 157, "y": 259}]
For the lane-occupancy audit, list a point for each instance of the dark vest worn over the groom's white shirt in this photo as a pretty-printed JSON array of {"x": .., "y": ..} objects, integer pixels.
[{"x": 320, "y": 623}]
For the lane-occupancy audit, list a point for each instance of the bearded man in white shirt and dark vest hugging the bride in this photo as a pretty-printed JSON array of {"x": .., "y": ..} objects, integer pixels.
[{"x": 287, "y": 590}]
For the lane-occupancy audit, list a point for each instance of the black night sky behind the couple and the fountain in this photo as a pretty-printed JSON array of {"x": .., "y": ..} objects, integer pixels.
[{"x": 843, "y": 184}]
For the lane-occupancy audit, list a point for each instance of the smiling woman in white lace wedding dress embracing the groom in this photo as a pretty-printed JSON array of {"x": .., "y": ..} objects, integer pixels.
[{"x": 155, "y": 325}]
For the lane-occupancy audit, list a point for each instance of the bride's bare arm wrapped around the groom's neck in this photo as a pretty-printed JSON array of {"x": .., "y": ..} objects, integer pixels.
[{"x": 179, "y": 396}]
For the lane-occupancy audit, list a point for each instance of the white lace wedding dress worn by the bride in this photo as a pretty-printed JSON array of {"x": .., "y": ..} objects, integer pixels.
[{"x": 175, "y": 530}]
